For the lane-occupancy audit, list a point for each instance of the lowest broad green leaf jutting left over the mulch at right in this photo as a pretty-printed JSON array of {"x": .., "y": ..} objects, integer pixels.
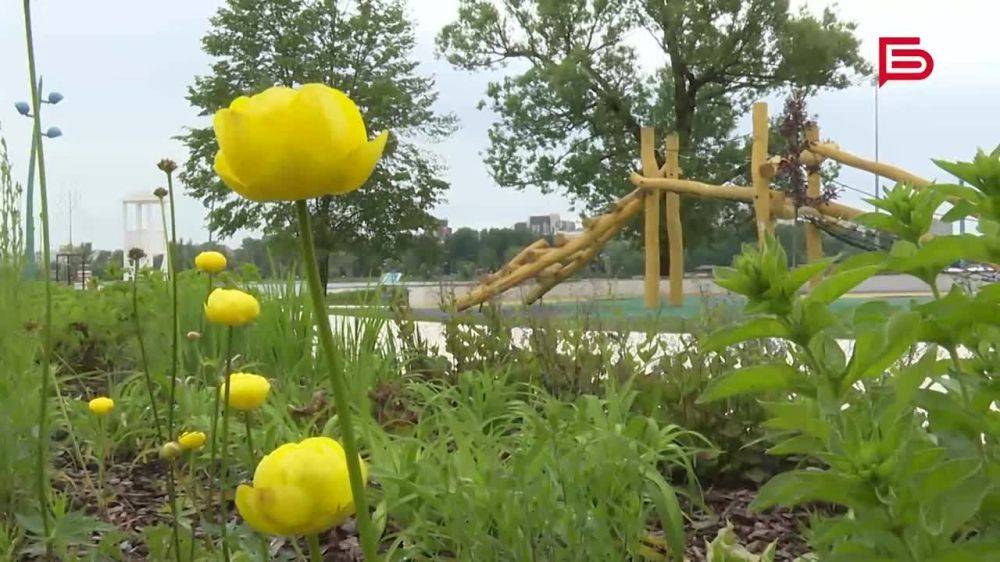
[{"x": 801, "y": 486}]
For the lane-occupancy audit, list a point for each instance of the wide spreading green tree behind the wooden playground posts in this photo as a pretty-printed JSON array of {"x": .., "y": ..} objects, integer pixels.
[{"x": 572, "y": 101}]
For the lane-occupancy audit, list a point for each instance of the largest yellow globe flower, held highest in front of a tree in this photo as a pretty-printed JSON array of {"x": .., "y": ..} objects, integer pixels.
[{"x": 285, "y": 144}]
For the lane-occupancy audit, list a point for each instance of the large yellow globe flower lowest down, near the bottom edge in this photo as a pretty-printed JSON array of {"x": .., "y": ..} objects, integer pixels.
[{"x": 299, "y": 489}]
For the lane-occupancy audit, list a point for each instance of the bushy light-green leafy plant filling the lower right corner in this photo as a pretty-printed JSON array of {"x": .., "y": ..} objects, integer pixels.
[{"x": 901, "y": 426}]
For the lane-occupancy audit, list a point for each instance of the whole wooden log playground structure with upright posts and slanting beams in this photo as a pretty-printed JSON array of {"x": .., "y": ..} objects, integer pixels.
[{"x": 661, "y": 187}]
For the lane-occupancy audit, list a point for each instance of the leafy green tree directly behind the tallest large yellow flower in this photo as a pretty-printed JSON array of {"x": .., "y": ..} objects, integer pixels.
[{"x": 362, "y": 47}]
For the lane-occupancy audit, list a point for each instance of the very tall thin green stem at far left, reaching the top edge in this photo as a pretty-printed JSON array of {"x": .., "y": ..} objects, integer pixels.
[{"x": 43, "y": 393}]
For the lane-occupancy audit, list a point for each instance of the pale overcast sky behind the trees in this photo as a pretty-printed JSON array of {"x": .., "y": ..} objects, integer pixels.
[{"x": 124, "y": 65}]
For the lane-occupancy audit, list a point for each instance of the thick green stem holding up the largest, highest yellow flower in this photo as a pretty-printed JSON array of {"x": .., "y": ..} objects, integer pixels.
[{"x": 369, "y": 542}]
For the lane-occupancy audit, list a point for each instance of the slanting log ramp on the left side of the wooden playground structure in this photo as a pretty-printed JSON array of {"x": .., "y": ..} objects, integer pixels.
[{"x": 550, "y": 264}]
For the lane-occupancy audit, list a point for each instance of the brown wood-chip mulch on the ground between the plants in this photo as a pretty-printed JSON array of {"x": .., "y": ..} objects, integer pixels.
[{"x": 138, "y": 499}]
